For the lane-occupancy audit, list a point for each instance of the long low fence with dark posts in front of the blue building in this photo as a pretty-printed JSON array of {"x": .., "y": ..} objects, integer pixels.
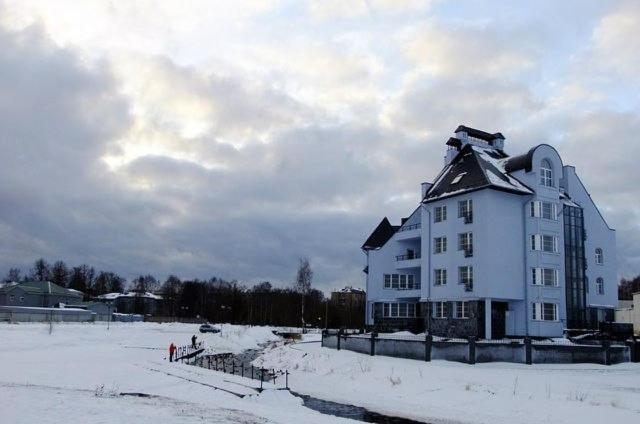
[{"x": 471, "y": 351}]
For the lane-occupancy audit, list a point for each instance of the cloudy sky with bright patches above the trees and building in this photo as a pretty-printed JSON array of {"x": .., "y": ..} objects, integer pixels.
[{"x": 230, "y": 138}]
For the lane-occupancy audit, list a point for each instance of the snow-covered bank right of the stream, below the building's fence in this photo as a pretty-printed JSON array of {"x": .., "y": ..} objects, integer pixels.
[{"x": 441, "y": 391}]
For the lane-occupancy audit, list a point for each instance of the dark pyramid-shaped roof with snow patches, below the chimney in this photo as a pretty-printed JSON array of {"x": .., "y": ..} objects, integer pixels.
[{"x": 472, "y": 169}]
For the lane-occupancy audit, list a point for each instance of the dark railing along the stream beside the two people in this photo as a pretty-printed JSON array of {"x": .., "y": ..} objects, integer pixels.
[{"x": 227, "y": 363}]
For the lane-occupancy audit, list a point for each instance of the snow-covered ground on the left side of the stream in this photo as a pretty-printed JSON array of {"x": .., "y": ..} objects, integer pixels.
[{"x": 77, "y": 373}]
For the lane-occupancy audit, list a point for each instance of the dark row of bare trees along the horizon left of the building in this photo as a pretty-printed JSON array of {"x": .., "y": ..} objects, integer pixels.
[{"x": 213, "y": 299}]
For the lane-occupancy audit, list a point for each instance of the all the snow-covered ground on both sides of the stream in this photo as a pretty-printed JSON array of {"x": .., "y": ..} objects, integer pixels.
[{"x": 79, "y": 371}]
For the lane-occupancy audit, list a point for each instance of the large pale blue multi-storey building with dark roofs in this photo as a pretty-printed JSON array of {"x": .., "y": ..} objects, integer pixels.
[{"x": 498, "y": 246}]
